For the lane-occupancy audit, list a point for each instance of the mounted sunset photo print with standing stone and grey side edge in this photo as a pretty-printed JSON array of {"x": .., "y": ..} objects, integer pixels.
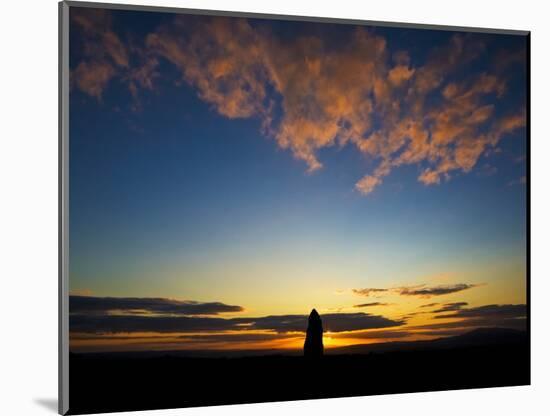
[{"x": 263, "y": 208}]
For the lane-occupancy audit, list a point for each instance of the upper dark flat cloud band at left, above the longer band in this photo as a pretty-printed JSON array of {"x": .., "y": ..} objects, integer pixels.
[{"x": 91, "y": 304}]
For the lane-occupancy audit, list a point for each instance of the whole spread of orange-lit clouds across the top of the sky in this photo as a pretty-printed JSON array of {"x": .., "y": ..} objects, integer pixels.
[{"x": 310, "y": 94}]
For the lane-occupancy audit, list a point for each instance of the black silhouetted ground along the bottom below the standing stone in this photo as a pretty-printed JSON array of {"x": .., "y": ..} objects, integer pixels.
[{"x": 120, "y": 382}]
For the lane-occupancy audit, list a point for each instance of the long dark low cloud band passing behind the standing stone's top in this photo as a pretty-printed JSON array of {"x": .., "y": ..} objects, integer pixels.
[{"x": 336, "y": 322}]
